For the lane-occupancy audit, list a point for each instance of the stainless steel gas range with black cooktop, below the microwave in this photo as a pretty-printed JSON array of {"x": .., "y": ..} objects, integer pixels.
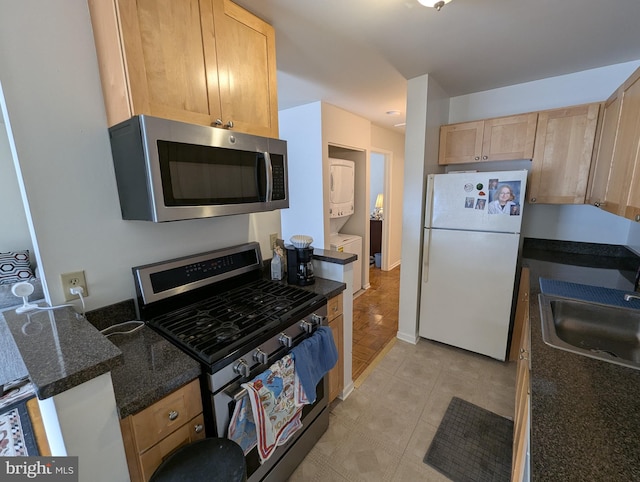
[{"x": 218, "y": 308}]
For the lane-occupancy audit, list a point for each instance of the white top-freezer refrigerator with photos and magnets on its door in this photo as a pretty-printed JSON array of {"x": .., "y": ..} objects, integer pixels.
[{"x": 470, "y": 253}]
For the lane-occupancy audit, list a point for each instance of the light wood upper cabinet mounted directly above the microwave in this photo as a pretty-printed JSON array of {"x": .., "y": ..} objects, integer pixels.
[{"x": 206, "y": 62}]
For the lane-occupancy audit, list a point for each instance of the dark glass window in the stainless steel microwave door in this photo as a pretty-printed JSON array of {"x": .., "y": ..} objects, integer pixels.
[{"x": 195, "y": 175}]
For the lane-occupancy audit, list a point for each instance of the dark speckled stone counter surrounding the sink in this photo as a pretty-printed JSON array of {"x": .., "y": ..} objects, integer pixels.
[{"x": 585, "y": 413}]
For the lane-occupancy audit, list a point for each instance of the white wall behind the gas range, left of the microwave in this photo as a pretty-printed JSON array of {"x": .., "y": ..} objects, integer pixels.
[{"x": 49, "y": 73}]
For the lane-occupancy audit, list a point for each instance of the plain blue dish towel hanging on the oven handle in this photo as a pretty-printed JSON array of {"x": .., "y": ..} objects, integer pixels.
[{"x": 314, "y": 357}]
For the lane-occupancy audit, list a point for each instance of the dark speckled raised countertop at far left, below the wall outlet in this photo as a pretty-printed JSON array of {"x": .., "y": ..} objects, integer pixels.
[{"x": 59, "y": 349}]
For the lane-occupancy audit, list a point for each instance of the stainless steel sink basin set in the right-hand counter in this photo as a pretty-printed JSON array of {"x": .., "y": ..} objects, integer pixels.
[{"x": 605, "y": 332}]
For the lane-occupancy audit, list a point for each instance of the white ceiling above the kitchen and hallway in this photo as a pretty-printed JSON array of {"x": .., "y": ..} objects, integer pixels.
[{"x": 358, "y": 54}]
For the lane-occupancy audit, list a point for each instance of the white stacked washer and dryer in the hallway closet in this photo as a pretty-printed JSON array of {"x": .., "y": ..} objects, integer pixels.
[{"x": 341, "y": 207}]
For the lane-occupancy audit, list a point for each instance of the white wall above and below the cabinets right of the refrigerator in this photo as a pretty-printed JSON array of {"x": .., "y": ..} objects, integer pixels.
[{"x": 565, "y": 222}]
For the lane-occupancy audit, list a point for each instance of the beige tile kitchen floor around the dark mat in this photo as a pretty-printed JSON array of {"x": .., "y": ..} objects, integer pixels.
[{"x": 383, "y": 429}]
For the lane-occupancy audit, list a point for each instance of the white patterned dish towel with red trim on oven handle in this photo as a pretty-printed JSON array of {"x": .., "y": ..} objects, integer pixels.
[{"x": 273, "y": 414}]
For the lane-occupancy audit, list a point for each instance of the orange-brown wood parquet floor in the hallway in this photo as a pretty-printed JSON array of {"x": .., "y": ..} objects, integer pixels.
[{"x": 375, "y": 317}]
